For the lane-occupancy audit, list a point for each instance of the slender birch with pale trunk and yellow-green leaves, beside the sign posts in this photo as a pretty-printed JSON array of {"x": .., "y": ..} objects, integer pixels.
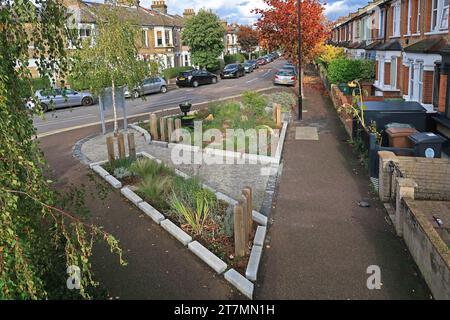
[{"x": 112, "y": 61}]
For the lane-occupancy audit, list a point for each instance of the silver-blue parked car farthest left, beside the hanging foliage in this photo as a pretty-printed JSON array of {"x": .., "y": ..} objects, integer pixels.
[{"x": 61, "y": 98}]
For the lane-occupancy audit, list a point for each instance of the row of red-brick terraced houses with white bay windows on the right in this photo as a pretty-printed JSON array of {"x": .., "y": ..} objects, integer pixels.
[{"x": 410, "y": 42}]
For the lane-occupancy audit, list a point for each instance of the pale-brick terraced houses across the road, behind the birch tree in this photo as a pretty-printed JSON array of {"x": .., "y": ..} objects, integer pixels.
[{"x": 160, "y": 31}]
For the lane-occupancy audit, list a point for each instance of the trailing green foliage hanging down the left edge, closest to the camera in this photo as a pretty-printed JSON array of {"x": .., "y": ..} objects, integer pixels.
[{"x": 39, "y": 237}]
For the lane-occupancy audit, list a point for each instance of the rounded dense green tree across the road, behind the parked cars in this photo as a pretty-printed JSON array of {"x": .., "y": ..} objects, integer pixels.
[{"x": 204, "y": 34}]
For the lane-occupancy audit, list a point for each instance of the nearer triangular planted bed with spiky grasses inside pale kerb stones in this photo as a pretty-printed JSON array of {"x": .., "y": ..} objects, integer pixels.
[{"x": 184, "y": 201}]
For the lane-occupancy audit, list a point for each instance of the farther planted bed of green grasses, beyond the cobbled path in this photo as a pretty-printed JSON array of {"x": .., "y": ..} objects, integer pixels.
[{"x": 220, "y": 123}]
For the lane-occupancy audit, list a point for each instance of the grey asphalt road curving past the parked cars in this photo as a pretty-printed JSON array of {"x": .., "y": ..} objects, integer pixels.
[{"x": 63, "y": 119}]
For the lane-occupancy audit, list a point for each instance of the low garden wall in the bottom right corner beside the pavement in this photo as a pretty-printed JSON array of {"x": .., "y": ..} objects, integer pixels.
[{"x": 429, "y": 251}]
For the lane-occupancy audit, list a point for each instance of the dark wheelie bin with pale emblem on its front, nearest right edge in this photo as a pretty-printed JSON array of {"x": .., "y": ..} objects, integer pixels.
[{"x": 428, "y": 145}]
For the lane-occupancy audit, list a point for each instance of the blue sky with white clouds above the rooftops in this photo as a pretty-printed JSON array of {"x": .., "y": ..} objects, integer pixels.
[{"x": 240, "y": 10}]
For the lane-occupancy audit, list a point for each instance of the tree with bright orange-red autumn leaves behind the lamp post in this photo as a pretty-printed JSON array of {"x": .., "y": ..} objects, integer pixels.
[{"x": 278, "y": 27}]
